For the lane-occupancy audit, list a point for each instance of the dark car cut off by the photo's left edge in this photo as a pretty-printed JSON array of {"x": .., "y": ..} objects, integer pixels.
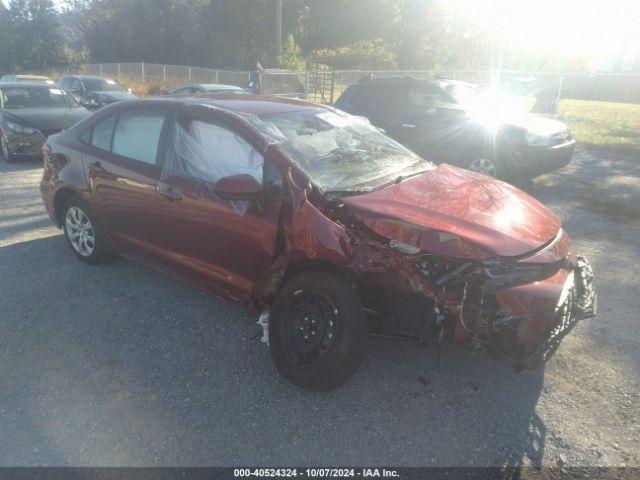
[{"x": 29, "y": 113}]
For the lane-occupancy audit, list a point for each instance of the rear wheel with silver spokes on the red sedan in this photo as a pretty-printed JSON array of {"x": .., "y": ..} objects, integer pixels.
[{"x": 82, "y": 232}]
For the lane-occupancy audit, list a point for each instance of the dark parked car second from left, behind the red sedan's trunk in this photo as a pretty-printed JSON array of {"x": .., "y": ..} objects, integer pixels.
[{"x": 94, "y": 92}]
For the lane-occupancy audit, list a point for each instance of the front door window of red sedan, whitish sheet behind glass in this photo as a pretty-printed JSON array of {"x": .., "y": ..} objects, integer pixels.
[{"x": 208, "y": 152}]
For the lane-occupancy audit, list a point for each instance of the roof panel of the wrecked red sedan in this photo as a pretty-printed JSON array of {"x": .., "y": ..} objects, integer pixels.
[{"x": 240, "y": 104}]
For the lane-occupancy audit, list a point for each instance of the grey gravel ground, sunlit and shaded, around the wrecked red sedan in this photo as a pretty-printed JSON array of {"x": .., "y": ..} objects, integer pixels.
[{"x": 119, "y": 365}]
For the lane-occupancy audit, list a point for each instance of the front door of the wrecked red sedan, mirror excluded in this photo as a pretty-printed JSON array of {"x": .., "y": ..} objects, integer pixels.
[{"x": 218, "y": 244}]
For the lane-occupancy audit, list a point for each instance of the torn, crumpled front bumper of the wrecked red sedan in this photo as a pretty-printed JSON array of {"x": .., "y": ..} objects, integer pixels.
[{"x": 548, "y": 310}]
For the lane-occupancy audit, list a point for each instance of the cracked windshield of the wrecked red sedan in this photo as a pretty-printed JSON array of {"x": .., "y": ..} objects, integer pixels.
[{"x": 340, "y": 152}]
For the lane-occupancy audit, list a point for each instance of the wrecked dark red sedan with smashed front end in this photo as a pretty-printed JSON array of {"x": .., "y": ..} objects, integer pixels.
[{"x": 310, "y": 217}]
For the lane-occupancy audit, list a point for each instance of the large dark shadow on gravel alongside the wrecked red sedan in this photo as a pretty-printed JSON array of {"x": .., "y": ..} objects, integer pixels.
[{"x": 119, "y": 365}]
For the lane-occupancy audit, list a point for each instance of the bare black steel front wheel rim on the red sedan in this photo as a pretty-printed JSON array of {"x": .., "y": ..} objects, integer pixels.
[{"x": 311, "y": 326}]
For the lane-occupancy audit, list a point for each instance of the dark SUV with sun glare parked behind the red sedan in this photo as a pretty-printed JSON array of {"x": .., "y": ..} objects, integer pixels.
[{"x": 456, "y": 122}]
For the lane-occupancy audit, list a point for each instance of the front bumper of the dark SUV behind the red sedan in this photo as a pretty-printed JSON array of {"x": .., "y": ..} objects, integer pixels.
[{"x": 533, "y": 162}]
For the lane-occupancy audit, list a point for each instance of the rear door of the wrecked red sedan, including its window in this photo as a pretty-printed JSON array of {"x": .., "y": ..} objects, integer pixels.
[{"x": 121, "y": 163}]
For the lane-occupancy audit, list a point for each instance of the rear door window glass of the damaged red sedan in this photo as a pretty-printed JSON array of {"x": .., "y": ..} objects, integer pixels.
[{"x": 137, "y": 134}]
